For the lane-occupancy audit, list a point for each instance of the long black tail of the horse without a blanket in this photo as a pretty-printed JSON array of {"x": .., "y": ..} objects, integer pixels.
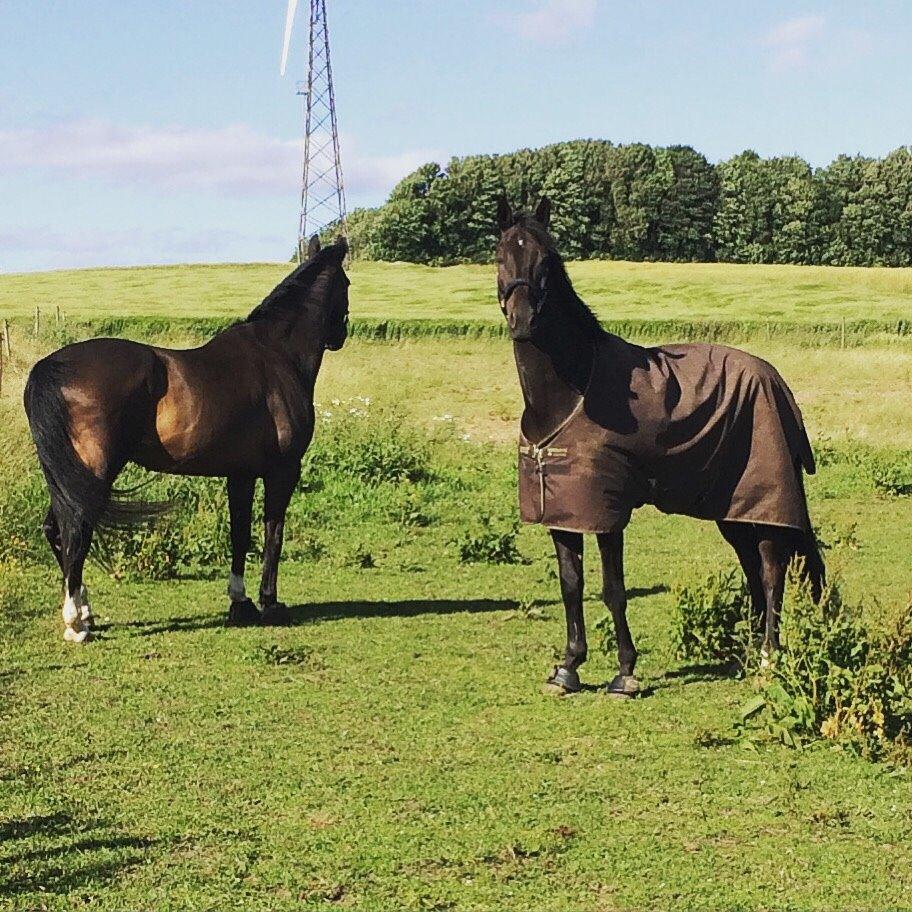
[{"x": 80, "y": 500}]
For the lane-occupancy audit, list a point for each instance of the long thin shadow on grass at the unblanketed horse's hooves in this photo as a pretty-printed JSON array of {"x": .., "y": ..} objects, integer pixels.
[{"x": 326, "y": 611}]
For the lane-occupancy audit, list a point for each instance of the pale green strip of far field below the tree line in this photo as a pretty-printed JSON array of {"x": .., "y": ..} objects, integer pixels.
[{"x": 659, "y": 292}]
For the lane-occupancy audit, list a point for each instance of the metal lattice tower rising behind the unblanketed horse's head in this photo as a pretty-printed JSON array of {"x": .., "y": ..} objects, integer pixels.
[{"x": 322, "y": 187}]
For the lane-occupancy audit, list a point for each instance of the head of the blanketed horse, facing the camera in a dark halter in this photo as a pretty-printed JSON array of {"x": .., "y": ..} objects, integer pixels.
[{"x": 525, "y": 256}]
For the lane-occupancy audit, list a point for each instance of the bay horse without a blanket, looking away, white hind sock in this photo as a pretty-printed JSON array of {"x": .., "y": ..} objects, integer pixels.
[{"x": 238, "y": 407}]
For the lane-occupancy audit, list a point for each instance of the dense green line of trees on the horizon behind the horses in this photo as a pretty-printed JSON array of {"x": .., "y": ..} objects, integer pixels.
[{"x": 638, "y": 202}]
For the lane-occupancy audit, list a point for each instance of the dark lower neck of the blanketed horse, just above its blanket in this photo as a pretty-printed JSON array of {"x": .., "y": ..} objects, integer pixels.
[{"x": 553, "y": 377}]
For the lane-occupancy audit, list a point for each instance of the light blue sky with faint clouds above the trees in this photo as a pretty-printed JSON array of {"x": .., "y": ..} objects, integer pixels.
[{"x": 161, "y": 132}]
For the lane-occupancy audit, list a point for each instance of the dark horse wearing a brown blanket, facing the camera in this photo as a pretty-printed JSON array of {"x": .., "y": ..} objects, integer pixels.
[{"x": 608, "y": 426}]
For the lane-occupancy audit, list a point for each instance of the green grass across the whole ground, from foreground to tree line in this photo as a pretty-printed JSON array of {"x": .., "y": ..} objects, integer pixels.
[{"x": 392, "y": 750}]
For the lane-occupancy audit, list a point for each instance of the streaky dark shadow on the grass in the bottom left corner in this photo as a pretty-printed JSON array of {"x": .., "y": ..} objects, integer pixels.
[{"x": 57, "y": 853}]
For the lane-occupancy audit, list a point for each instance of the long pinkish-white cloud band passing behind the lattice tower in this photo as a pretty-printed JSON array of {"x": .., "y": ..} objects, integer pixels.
[{"x": 234, "y": 160}]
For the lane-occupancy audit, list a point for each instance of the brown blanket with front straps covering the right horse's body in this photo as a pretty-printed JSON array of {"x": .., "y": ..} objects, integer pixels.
[{"x": 703, "y": 430}]
